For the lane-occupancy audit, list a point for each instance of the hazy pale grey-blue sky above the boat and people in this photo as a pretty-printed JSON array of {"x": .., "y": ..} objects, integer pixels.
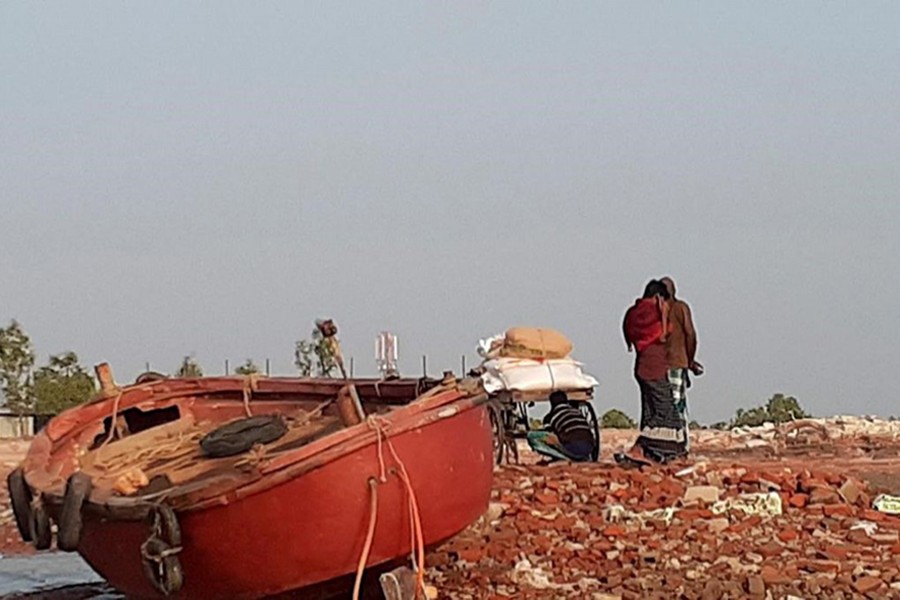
[{"x": 207, "y": 179}]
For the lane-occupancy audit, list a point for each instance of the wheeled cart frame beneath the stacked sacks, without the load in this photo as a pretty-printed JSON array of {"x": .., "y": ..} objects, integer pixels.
[{"x": 510, "y": 421}]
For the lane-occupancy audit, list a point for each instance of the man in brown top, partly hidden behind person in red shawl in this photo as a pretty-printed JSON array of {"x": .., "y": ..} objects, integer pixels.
[{"x": 681, "y": 348}]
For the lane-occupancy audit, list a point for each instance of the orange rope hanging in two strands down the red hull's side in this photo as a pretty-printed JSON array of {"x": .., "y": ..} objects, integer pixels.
[{"x": 417, "y": 538}]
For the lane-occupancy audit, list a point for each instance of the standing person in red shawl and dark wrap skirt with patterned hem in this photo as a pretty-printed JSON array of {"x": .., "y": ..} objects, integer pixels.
[{"x": 662, "y": 437}]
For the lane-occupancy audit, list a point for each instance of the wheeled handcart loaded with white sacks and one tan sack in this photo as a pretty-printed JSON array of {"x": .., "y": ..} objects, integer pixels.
[{"x": 520, "y": 370}]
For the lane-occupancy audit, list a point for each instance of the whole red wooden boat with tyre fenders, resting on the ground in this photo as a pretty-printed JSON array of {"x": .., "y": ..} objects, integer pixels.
[{"x": 131, "y": 489}]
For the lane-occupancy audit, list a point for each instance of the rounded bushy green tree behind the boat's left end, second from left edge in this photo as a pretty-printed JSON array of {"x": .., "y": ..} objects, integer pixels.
[{"x": 62, "y": 384}]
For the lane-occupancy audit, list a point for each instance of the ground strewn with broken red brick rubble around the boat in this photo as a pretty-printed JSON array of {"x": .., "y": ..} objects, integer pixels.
[{"x": 768, "y": 512}]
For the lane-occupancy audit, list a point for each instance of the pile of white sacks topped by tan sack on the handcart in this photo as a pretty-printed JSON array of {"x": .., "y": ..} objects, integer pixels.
[{"x": 531, "y": 359}]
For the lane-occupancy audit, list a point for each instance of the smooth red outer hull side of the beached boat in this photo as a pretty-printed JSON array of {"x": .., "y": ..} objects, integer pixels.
[{"x": 311, "y": 529}]
